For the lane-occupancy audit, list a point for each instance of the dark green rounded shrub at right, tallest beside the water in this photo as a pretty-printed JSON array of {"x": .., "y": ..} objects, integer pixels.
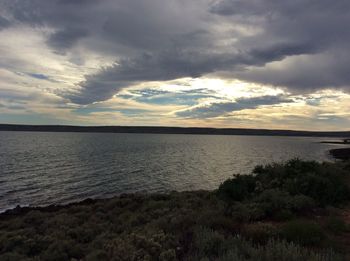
[{"x": 324, "y": 183}]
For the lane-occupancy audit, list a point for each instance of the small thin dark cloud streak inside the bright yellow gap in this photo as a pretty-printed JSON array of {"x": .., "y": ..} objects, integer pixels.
[{"x": 222, "y": 108}]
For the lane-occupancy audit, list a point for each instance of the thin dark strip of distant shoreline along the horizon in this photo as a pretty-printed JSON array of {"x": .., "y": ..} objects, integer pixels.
[{"x": 173, "y": 130}]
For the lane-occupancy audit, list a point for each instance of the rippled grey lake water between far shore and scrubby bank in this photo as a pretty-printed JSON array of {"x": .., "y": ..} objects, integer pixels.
[{"x": 38, "y": 168}]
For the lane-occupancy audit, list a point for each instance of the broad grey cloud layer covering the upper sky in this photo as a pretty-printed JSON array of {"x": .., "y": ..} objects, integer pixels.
[{"x": 156, "y": 40}]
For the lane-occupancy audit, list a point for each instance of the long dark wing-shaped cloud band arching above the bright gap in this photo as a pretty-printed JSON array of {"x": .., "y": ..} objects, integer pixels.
[{"x": 173, "y": 64}]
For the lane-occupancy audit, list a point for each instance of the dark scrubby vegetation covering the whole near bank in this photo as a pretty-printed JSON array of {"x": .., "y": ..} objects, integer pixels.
[{"x": 289, "y": 211}]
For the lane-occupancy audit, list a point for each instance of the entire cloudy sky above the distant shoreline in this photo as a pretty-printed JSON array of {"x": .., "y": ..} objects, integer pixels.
[{"x": 205, "y": 63}]
